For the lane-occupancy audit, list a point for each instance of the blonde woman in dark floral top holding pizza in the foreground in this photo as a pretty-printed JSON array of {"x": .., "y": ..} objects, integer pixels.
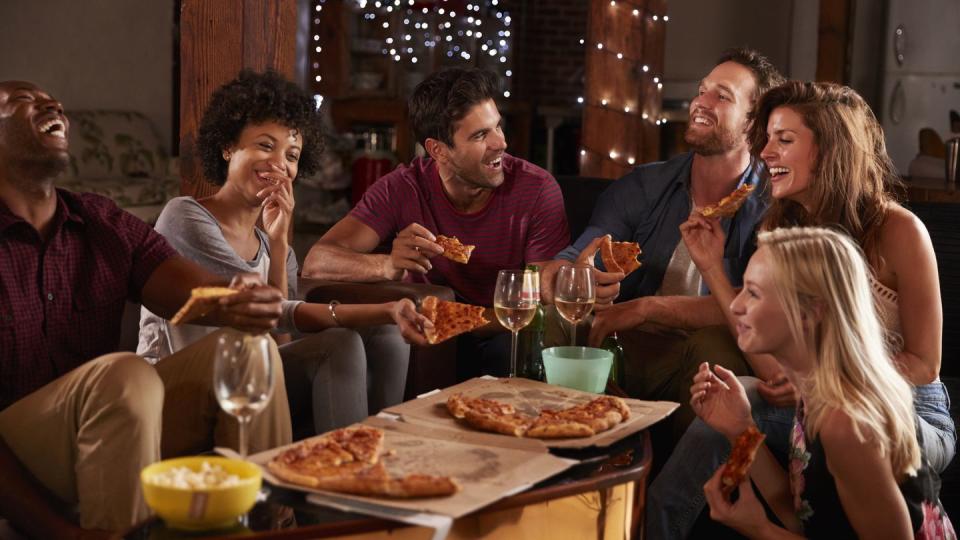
[{"x": 856, "y": 467}]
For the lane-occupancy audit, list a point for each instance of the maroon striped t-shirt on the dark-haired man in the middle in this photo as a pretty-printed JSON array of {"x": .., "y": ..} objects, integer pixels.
[{"x": 524, "y": 221}]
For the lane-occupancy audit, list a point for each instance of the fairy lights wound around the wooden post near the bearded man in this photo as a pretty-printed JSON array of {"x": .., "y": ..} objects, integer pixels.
[{"x": 605, "y": 101}]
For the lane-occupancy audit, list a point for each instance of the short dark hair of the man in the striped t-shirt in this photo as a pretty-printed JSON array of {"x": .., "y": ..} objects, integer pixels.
[{"x": 444, "y": 98}]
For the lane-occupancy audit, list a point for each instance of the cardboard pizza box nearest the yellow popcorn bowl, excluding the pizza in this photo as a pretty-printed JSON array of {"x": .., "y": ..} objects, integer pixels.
[{"x": 488, "y": 468}]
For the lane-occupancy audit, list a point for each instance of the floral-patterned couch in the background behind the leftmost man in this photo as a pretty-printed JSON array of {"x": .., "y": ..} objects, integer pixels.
[{"x": 121, "y": 155}]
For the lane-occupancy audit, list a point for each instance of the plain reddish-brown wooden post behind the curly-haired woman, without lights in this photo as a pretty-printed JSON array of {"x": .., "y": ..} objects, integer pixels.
[{"x": 218, "y": 38}]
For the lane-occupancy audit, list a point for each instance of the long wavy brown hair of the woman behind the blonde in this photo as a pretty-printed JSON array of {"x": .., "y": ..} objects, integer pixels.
[{"x": 853, "y": 178}]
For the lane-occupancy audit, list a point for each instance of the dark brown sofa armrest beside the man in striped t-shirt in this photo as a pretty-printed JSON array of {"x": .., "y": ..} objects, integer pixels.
[{"x": 430, "y": 367}]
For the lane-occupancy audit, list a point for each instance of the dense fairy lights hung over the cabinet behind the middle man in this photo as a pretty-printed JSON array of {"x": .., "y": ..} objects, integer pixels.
[{"x": 477, "y": 32}]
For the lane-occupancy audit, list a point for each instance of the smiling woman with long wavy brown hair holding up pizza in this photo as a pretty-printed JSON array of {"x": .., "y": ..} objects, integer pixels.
[{"x": 827, "y": 165}]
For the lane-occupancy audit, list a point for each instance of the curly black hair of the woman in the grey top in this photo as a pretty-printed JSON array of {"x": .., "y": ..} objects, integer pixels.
[{"x": 256, "y": 98}]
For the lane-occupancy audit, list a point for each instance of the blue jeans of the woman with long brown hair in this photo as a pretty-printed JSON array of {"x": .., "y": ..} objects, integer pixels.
[{"x": 675, "y": 498}]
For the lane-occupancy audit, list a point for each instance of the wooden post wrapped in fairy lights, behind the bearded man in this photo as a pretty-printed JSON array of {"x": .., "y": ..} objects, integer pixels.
[{"x": 619, "y": 92}]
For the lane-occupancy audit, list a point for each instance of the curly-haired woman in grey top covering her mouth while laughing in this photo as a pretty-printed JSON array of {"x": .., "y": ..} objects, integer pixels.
[{"x": 257, "y": 134}]
